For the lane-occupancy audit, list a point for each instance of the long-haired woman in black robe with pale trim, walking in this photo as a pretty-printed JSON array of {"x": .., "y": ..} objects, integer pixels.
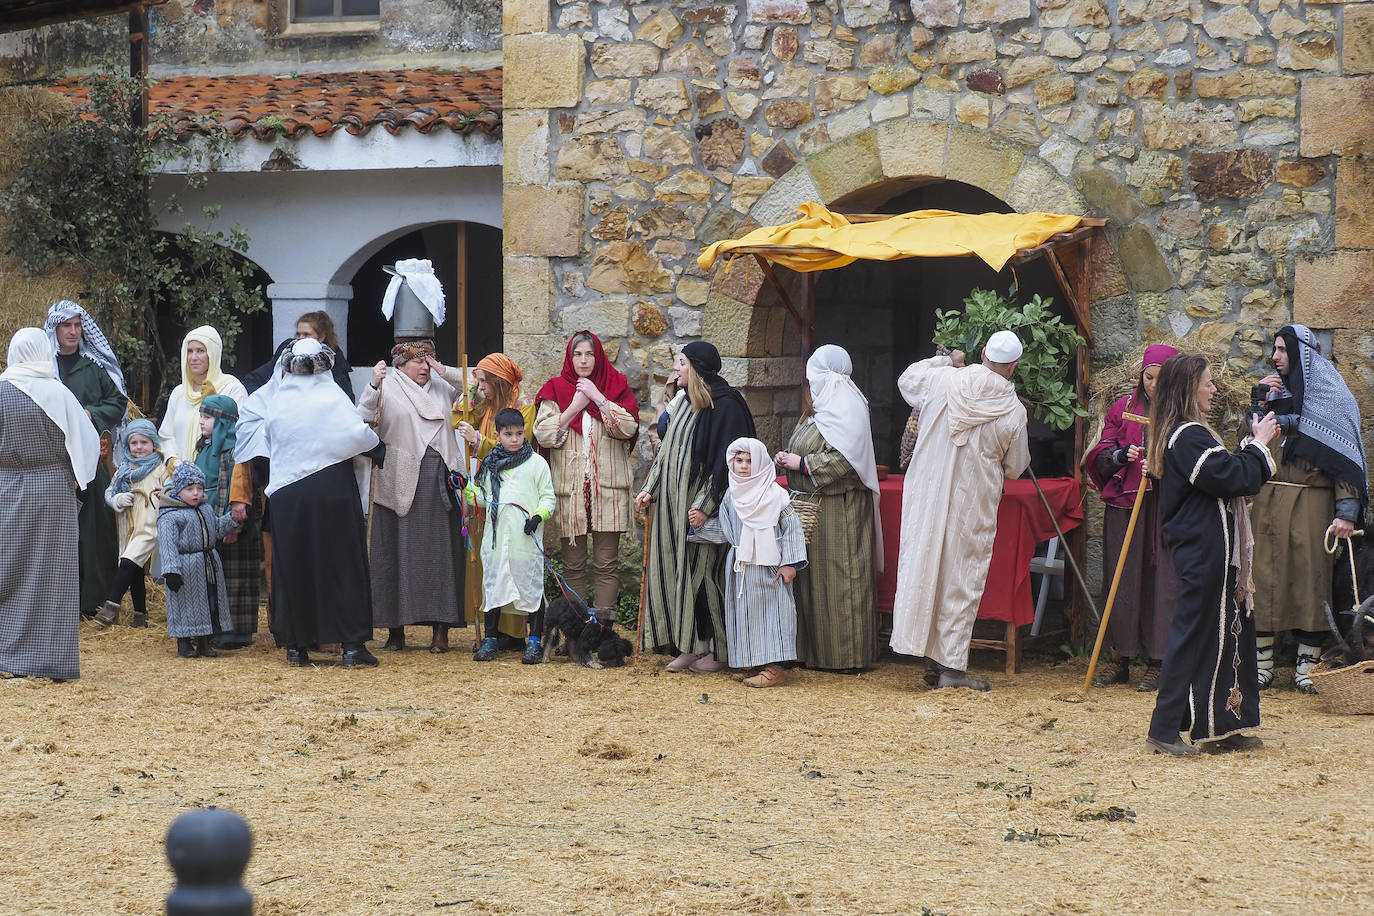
[{"x": 1208, "y": 685}]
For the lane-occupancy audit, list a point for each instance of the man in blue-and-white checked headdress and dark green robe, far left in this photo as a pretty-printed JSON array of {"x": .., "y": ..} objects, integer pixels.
[{"x": 89, "y": 367}]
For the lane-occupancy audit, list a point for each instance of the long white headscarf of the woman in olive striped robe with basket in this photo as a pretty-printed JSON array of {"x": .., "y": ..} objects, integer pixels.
[{"x": 843, "y": 420}]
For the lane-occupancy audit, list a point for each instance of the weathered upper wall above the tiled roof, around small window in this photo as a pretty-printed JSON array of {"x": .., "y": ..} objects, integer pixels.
[{"x": 254, "y": 36}]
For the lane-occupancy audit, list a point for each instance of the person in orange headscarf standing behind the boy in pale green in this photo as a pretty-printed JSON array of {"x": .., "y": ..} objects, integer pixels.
[{"x": 497, "y": 387}]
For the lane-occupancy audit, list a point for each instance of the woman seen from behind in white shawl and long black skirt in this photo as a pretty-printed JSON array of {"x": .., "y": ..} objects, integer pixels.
[{"x": 311, "y": 435}]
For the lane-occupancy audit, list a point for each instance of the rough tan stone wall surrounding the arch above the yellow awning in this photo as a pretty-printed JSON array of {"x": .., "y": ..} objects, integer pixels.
[{"x": 1230, "y": 145}]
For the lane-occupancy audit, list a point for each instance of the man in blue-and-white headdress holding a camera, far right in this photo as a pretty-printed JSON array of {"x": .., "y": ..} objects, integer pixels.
[{"x": 1321, "y": 485}]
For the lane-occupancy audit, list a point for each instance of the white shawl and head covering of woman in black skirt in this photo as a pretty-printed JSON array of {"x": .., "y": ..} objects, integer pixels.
[{"x": 302, "y": 424}]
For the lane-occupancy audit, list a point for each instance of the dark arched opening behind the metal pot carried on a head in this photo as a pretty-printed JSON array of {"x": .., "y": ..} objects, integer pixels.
[{"x": 370, "y": 334}]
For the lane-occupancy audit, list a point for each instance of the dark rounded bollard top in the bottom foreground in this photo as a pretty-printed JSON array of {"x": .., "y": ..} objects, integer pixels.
[{"x": 208, "y": 851}]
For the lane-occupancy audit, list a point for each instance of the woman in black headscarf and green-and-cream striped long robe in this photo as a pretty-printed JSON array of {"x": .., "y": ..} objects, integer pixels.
[{"x": 685, "y": 604}]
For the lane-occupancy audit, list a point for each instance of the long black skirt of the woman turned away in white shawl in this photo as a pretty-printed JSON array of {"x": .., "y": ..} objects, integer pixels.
[{"x": 321, "y": 583}]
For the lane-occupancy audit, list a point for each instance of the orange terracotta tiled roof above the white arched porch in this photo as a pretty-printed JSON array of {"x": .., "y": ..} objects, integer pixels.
[{"x": 321, "y": 104}]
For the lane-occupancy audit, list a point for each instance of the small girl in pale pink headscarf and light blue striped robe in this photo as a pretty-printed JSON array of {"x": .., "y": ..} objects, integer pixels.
[{"x": 766, "y": 551}]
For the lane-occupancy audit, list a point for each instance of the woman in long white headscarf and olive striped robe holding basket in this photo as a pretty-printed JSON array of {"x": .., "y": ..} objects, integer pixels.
[{"x": 831, "y": 454}]
